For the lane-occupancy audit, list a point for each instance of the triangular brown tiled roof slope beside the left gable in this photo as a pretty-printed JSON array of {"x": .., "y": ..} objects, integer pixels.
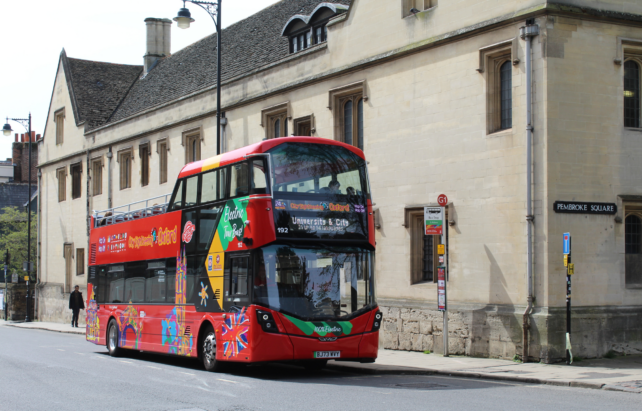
[{"x": 99, "y": 87}]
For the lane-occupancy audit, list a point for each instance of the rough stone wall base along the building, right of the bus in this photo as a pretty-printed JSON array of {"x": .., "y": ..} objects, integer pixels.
[{"x": 495, "y": 331}]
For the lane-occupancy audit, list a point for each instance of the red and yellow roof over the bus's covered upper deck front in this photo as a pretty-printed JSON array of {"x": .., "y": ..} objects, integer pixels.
[{"x": 266, "y": 145}]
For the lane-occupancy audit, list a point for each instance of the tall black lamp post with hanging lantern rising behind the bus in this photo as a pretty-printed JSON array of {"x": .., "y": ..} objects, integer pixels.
[{"x": 184, "y": 19}]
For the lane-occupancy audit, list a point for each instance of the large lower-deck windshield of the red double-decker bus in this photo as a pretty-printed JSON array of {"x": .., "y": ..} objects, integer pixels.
[{"x": 314, "y": 283}]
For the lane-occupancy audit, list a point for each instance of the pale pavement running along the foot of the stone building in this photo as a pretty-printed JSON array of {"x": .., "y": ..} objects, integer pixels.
[{"x": 622, "y": 373}]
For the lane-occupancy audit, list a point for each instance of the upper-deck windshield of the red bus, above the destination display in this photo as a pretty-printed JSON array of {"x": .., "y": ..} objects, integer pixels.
[{"x": 318, "y": 169}]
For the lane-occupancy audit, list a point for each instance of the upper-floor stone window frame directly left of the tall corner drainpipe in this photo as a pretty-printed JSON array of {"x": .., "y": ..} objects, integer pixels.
[{"x": 491, "y": 58}]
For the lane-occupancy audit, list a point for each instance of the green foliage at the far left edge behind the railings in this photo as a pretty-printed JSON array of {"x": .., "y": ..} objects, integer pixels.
[{"x": 13, "y": 236}]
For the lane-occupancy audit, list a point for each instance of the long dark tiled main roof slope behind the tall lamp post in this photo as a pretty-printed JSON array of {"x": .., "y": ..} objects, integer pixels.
[{"x": 247, "y": 45}]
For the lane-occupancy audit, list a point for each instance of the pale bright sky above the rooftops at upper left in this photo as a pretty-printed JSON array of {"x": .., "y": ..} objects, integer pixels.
[{"x": 111, "y": 31}]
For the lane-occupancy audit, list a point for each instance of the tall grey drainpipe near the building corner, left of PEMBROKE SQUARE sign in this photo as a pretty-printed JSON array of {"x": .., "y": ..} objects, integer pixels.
[{"x": 527, "y": 33}]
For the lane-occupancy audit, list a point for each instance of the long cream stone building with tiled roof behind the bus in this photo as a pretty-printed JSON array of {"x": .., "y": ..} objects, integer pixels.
[{"x": 435, "y": 93}]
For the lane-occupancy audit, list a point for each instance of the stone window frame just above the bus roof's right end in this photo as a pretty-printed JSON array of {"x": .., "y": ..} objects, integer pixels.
[{"x": 337, "y": 98}]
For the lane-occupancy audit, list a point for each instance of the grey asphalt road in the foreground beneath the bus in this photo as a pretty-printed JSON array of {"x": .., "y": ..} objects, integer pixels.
[{"x": 43, "y": 370}]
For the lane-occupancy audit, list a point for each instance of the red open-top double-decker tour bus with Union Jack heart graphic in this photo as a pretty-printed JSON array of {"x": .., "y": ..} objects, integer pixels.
[{"x": 265, "y": 253}]
